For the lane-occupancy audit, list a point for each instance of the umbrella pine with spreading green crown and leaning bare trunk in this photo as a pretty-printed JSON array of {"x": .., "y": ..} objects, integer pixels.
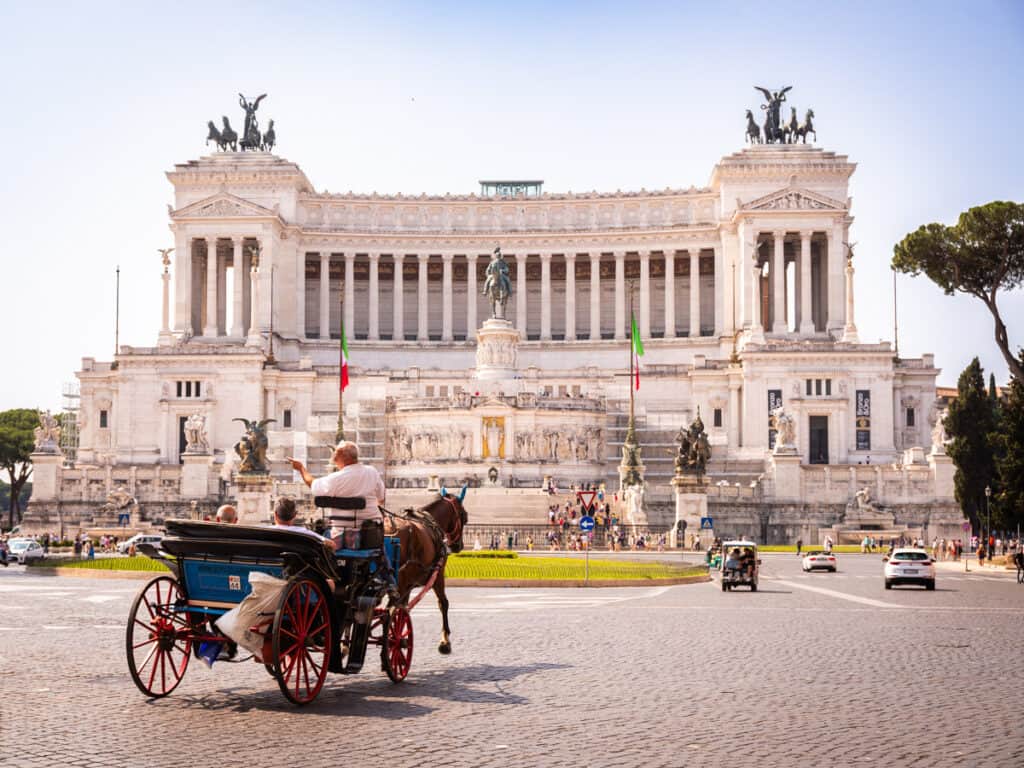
[{"x": 980, "y": 255}]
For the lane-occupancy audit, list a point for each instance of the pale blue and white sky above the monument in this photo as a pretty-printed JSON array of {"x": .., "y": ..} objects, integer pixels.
[{"x": 101, "y": 100}]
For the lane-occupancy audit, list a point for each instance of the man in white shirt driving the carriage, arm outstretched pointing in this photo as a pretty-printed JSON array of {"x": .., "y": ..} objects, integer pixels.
[{"x": 352, "y": 480}]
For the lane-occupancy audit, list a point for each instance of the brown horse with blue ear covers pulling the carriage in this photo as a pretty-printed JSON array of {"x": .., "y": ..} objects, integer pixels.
[{"x": 426, "y": 536}]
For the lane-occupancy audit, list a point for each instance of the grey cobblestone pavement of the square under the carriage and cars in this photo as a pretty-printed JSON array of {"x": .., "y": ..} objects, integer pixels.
[{"x": 816, "y": 669}]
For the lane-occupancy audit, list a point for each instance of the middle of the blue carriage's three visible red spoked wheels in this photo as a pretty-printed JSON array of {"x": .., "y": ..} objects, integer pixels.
[{"x": 302, "y": 642}]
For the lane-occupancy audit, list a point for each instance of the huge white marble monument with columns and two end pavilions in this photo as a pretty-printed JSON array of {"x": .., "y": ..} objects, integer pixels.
[{"x": 743, "y": 292}]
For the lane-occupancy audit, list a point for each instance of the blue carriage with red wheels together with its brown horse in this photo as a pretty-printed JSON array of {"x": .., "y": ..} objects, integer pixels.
[{"x": 333, "y": 606}]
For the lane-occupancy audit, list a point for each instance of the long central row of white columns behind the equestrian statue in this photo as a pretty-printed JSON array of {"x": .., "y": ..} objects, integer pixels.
[{"x": 525, "y": 286}]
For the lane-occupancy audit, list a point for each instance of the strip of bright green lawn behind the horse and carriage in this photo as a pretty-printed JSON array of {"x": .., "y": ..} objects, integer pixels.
[{"x": 538, "y": 569}]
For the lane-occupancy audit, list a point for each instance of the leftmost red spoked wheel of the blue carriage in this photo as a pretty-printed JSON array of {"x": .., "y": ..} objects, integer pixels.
[{"x": 159, "y": 638}]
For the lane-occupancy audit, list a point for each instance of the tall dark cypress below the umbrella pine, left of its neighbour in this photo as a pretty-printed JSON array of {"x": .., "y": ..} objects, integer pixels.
[{"x": 969, "y": 425}]
